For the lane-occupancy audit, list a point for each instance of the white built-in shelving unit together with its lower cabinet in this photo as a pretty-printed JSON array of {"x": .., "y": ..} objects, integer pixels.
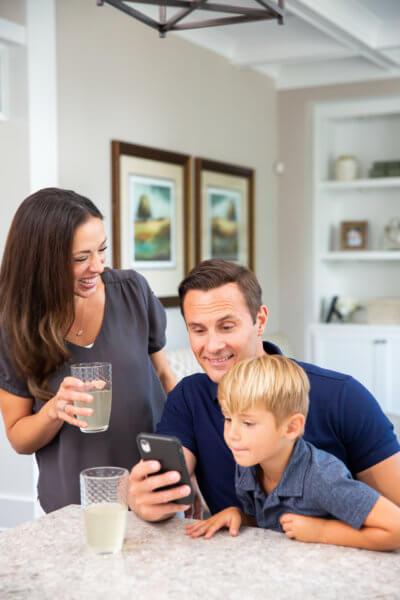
[{"x": 370, "y": 130}]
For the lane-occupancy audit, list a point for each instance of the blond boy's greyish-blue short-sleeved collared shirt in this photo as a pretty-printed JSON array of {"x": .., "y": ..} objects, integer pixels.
[{"x": 314, "y": 483}]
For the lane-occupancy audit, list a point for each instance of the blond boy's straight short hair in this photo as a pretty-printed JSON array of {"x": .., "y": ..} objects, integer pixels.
[{"x": 275, "y": 383}]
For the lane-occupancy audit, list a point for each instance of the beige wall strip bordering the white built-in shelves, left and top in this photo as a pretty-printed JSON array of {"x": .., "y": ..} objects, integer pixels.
[{"x": 295, "y": 202}]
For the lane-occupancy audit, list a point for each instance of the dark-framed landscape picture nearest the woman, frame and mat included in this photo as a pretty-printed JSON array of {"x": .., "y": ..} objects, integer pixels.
[{"x": 150, "y": 206}]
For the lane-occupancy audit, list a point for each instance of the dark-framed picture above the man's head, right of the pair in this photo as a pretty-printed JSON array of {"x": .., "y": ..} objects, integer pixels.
[{"x": 224, "y": 205}]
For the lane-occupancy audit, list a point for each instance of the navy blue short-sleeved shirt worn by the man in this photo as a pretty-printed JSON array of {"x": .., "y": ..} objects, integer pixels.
[{"x": 344, "y": 419}]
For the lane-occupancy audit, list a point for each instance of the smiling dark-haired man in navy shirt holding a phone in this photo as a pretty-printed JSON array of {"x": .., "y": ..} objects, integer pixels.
[{"x": 222, "y": 307}]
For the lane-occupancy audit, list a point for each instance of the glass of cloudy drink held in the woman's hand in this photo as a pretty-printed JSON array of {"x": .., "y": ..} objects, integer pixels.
[{"x": 98, "y": 383}]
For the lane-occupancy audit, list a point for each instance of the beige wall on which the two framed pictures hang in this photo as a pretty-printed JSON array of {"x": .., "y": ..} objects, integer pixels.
[{"x": 118, "y": 80}]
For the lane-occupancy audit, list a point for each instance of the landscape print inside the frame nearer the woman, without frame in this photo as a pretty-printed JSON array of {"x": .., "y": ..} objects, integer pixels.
[{"x": 153, "y": 222}]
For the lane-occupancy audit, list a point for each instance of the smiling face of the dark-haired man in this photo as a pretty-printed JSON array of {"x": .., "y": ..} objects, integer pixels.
[{"x": 221, "y": 329}]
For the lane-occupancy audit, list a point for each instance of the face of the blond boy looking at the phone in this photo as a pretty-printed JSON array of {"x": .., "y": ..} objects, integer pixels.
[{"x": 253, "y": 436}]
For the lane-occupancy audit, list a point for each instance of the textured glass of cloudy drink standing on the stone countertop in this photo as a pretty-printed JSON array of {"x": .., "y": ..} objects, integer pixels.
[{"x": 104, "y": 492}]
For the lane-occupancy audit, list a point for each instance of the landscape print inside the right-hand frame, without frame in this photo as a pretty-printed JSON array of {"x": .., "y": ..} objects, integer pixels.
[{"x": 223, "y": 223}]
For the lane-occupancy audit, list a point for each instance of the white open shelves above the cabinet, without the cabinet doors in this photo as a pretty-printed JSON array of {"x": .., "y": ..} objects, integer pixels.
[{"x": 370, "y": 130}]
